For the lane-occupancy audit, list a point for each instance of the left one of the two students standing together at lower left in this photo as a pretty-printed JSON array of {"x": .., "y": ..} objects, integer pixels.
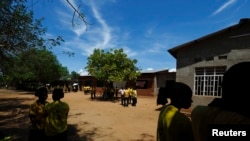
[{"x": 37, "y": 115}]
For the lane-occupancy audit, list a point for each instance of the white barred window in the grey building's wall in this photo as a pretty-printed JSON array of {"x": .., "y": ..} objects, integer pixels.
[{"x": 208, "y": 81}]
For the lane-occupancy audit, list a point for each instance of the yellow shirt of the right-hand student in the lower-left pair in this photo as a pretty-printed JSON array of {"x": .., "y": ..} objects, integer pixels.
[{"x": 56, "y": 120}]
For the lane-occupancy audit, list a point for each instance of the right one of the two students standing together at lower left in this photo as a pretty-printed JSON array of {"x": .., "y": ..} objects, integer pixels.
[{"x": 56, "y": 117}]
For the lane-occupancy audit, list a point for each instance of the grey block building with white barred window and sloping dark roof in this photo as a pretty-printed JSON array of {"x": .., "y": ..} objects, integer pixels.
[{"x": 201, "y": 63}]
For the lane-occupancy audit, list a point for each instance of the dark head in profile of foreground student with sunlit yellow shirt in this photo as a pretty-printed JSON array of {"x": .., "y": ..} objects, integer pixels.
[{"x": 181, "y": 95}]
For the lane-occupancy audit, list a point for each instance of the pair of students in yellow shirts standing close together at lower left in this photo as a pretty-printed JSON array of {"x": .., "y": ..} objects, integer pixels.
[{"x": 48, "y": 119}]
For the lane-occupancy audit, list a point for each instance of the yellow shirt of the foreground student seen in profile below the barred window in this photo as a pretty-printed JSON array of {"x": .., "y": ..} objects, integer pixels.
[{"x": 173, "y": 125}]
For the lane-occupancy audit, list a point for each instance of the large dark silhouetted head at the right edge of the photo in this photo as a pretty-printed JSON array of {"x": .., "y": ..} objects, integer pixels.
[{"x": 235, "y": 83}]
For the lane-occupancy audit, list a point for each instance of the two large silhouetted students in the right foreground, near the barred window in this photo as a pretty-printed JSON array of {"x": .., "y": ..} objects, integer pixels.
[{"x": 227, "y": 113}]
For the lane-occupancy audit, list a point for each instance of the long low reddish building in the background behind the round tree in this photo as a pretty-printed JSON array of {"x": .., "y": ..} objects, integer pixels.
[{"x": 147, "y": 84}]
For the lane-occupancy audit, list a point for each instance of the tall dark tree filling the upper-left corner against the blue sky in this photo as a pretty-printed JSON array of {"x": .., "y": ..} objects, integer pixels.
[{"x": 19, "y": 32}]
